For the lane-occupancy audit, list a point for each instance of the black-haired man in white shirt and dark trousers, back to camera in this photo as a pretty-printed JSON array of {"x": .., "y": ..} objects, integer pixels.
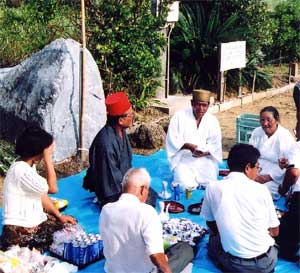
[{"x": 241, "y": 216}]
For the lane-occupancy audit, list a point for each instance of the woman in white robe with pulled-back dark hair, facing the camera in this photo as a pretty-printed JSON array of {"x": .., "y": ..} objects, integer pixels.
[{"x": 275, "y": 144}]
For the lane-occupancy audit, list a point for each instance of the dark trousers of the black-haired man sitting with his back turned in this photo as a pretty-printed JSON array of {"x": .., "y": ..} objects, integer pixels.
[{"x": 264, "y": 263}]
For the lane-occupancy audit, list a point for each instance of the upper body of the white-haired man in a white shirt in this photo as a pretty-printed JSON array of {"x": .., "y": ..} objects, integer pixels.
[{"x": 131, "y": 230}]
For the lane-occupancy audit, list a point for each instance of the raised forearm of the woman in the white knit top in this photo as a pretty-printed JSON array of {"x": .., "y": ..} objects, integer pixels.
[{"x": 49, "y": 168}]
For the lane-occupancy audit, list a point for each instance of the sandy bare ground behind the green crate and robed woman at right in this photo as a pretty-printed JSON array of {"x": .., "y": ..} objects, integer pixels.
[{"x": 283, "y": 102}]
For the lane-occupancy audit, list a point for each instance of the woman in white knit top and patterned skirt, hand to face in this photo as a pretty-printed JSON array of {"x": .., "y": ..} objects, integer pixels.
[{"x": 29, "y": 215}]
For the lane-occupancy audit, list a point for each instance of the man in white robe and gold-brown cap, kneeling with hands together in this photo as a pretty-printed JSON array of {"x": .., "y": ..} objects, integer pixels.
[{"x": 194, "y": 143}]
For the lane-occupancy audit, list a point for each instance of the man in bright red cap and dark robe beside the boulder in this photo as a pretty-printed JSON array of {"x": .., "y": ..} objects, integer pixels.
[{"x": 110, "y": 154}]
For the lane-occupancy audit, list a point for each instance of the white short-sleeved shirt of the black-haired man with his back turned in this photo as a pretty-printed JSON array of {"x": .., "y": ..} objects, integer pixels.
[{"x": 244, "y": 211}]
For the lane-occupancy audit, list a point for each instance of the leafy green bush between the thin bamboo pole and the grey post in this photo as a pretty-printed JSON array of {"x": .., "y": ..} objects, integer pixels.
[{"x": 127, "y": 44}]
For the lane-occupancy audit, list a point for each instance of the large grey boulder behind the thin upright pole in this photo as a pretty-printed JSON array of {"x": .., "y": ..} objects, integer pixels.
[{"x": 44, "y": 90}]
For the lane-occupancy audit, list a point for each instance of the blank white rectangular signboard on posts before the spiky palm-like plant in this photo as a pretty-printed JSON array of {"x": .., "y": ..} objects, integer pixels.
[{"x": 233, "y": 55}]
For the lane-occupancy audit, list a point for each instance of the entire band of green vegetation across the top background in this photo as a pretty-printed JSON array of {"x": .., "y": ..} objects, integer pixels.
[{"x": 126, "y": 38}]
